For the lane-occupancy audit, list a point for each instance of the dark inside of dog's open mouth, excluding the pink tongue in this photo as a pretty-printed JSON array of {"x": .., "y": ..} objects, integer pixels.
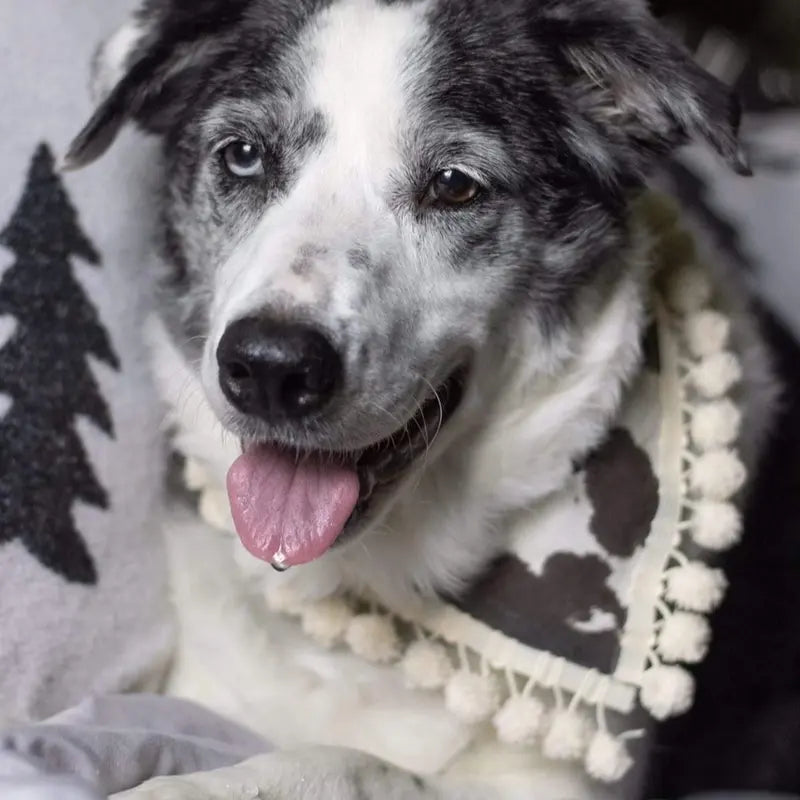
[{"x": 381, "y": 466}]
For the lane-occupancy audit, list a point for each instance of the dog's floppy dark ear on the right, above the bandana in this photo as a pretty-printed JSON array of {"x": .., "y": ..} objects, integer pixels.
[{"x": 633, "y": 77}]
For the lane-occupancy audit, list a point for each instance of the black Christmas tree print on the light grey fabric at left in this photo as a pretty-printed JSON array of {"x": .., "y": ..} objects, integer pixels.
[{"x": 45, "y": 373}]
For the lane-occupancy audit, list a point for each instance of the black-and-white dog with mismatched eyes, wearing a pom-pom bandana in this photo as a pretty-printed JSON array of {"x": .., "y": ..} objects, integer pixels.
[{"x": 398, "y": 271}]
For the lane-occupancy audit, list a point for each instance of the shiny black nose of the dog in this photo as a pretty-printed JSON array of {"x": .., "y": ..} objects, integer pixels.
[{"x": 277, "y": 370}]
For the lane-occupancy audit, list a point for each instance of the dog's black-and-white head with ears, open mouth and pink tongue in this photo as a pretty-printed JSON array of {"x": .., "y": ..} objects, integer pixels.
[{"x": 365, "y": 197}]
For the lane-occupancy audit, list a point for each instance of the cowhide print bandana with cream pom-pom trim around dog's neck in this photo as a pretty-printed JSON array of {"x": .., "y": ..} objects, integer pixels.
[{"x": 601, "y": 600}]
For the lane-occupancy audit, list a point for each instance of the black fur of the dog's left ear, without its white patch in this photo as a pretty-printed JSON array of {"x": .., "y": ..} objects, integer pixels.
[{"x": 184, "y": 34}]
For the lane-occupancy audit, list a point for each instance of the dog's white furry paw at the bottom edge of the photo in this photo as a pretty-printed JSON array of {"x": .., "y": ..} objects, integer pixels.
[{"x": 308, "y": 774}]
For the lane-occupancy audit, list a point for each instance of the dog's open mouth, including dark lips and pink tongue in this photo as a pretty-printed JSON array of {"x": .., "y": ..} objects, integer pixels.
[{"x": 290, "y": 507}]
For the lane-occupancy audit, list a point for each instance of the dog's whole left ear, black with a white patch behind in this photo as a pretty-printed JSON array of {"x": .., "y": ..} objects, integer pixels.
[{"x": 149, "y": 71}]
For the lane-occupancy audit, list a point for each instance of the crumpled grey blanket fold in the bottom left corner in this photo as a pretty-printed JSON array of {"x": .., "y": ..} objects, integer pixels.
[{"x": 110, "y": 744}]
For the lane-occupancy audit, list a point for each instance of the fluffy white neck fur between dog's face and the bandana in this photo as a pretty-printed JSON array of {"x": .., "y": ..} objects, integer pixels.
[{"x": 515, "y": 440}]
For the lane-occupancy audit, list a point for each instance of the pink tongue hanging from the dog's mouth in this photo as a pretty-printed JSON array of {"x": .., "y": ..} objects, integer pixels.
[{"x": 287, "y": 512}]
